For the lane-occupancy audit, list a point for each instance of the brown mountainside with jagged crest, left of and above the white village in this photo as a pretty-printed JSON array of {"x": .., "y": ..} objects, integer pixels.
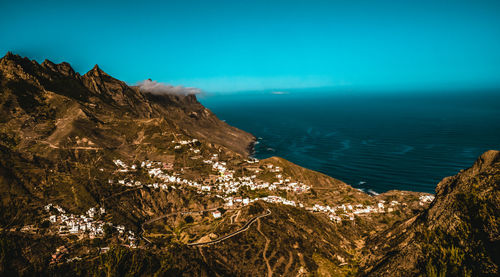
[{"x": 58, "y": 128}]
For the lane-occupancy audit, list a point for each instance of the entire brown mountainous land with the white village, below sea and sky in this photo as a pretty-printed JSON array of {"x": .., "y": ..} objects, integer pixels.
[{"x": 101, "y": 178}]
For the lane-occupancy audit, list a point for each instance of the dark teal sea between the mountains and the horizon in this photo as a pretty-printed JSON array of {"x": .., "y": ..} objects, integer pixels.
[{"x": 374, "y": 141}]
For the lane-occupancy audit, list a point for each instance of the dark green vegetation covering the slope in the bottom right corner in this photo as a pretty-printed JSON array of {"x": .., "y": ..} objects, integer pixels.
[{"x": 464, "y": 251}]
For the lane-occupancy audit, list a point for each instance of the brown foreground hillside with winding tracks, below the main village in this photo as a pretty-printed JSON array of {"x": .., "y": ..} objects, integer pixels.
[{"x": 288, "y": 242}]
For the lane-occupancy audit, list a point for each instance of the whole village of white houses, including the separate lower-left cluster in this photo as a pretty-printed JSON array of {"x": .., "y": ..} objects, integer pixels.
[{"x": 222, "y": 183}]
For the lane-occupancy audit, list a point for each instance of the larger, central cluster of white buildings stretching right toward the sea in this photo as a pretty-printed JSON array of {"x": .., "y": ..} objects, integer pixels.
[{"x": 224, "y": 185}]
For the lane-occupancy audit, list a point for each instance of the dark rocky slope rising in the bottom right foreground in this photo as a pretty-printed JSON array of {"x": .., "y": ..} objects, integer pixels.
[{"x": 458, "y": 235}]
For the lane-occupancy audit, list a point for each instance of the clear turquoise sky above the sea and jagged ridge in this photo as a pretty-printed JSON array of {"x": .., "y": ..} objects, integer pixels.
[{"x": 228, "y": 46}]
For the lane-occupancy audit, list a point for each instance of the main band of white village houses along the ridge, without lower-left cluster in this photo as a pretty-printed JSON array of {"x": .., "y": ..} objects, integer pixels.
[{"x": 223, "y": 184}]
